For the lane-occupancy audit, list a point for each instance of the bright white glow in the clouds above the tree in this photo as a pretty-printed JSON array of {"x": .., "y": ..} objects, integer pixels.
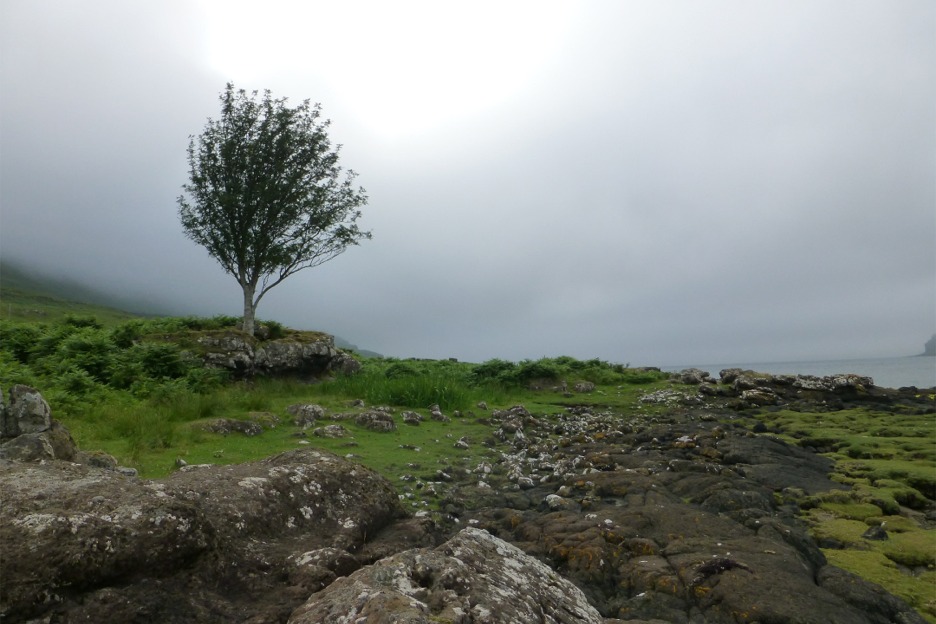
[{"x": 408, "y": 68}]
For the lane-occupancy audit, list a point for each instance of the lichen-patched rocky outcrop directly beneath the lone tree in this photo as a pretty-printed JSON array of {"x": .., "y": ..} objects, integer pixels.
[{"x": 310, "y": 354}]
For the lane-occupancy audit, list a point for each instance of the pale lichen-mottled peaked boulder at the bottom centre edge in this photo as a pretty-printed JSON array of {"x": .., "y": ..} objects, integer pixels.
[{"x": 473, "y": 577}]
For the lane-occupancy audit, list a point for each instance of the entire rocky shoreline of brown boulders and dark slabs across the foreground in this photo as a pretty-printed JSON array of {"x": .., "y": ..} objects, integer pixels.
[{"x": 687, "y": 514}]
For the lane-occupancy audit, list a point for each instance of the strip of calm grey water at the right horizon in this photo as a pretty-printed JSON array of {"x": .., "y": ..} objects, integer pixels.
[{"x": 886, "y": 372}]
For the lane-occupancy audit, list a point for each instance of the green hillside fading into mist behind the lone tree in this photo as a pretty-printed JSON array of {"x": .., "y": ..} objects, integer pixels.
[{"x": 28, "y": 295}]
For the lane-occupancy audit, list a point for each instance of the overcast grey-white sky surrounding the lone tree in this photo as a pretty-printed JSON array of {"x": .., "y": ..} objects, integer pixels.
[{"x": 656, "y": 183}]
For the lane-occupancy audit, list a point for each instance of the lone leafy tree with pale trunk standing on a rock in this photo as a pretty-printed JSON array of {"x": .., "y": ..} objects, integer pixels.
[{"x": 266, "y": 194}]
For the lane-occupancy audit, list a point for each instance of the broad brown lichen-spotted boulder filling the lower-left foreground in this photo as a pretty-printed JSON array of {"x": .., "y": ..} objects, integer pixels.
[{"x": 207, "y": 544}]
